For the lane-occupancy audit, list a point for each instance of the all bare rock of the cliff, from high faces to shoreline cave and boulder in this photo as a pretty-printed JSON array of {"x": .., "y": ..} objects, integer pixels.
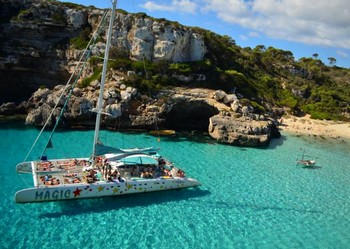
[{"x": 36, "y": 52}]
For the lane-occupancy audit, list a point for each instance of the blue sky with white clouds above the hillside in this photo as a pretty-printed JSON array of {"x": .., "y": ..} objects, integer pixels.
[{"x": 304, "y": 27}]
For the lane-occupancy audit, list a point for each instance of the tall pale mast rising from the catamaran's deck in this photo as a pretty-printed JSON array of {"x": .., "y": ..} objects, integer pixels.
[{"x": 103, "y": 79}]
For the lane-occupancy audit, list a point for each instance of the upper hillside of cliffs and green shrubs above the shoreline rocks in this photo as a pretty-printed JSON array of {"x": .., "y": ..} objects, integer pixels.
[{"x": 41, "y": 40}]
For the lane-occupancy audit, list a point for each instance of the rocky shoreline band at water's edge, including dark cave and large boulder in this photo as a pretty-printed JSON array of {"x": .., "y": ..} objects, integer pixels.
[{"x": 216, "y": 113}]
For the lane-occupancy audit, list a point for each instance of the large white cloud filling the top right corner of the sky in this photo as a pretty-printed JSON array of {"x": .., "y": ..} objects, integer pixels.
[{"x": 315, "y": 22}]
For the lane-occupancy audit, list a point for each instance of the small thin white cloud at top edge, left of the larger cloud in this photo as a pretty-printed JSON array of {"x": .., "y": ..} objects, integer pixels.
[{"x": 180, "y": 6}]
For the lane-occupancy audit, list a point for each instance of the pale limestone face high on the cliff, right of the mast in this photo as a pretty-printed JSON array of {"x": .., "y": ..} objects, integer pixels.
[{"x": 155, "y": 41}]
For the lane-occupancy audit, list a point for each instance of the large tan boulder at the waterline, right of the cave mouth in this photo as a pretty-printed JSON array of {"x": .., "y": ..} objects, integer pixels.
[{"x": 242, "y": 131}]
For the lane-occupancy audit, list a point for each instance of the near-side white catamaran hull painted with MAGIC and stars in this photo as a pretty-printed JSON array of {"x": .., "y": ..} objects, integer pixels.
[{"x": 101, "y": 189}]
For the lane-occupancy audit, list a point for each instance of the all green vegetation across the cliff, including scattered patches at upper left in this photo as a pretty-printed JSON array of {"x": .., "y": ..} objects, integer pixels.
[{"x": 266, "y": 76}]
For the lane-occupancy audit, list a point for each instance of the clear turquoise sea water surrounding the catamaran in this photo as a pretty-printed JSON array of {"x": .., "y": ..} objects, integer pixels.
[{"x": 250, "y": 198}]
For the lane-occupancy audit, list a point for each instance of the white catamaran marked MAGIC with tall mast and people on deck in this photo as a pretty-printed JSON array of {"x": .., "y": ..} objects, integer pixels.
[{"x": 119, "y": 172}]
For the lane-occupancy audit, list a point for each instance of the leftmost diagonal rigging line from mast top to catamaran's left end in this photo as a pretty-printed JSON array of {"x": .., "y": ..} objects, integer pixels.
[{"x": 93, "y": 39}]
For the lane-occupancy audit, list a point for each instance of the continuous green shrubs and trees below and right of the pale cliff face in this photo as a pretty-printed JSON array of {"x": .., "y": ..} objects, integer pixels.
[{"x": 267, "y": 76}]
